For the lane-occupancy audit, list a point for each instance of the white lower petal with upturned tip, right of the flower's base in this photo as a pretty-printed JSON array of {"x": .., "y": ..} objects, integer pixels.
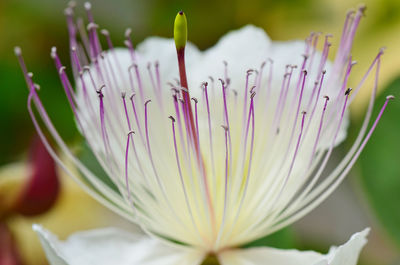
[{"x": 346, "y": 254}]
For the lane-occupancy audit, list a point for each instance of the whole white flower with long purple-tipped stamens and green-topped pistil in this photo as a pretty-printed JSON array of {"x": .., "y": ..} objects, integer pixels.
[{"x": 239, "y": 161}]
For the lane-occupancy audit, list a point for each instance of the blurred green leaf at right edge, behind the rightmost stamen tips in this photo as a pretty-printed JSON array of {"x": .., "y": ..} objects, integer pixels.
[{"x": 380, "y": 163}]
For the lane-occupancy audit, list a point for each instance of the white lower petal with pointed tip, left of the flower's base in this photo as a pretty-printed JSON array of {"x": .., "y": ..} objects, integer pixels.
[{"x": 113, "y": 246}]
